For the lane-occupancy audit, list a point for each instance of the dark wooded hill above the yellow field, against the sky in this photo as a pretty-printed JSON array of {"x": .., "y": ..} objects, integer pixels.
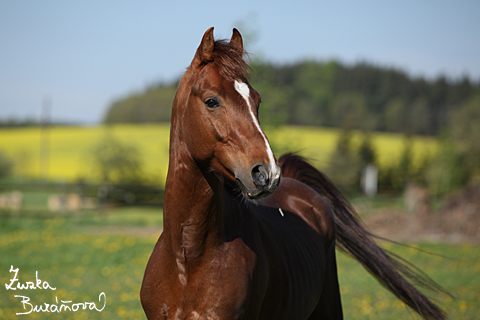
[{"x": 362, "y": 96}]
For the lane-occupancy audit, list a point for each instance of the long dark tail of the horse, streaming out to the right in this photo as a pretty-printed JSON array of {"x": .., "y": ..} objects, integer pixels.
[{"x": 353, "y": 238}]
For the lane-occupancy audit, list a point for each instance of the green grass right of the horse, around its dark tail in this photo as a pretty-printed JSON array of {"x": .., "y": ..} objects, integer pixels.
[{"x": 454, "y": 267}]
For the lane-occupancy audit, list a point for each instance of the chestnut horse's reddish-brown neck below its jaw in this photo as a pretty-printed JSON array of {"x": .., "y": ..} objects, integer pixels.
[{"x": 193, "y": 203}]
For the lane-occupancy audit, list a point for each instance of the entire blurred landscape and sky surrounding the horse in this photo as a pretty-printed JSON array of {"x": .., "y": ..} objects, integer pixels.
[{"x": 384, "y": 97}]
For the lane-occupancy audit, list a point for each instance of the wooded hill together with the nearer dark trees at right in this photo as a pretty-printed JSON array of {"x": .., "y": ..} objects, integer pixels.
[{"x": 361, "y": 97}]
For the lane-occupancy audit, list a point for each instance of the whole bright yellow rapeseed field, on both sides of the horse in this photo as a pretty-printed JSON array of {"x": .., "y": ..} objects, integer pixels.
[{"x": 70, "y": 151}]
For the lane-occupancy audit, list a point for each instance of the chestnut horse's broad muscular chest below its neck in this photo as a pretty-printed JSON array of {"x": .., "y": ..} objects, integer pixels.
[{"x": 214, "y": 288}]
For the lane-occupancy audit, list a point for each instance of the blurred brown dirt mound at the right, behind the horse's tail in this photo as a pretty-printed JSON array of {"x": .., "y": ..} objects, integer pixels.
[{"x": 458, "y": 221}]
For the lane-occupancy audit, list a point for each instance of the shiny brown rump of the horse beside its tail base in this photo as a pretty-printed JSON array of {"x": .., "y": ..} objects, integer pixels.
[{"x": 294, "y": 196}]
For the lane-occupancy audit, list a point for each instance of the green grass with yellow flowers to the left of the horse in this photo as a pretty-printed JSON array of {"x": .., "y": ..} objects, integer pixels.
[{"x": 79, "y": 265}]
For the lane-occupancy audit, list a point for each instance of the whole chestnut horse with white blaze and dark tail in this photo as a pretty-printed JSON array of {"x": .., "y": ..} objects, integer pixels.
[{"x": 237, "y": 243}]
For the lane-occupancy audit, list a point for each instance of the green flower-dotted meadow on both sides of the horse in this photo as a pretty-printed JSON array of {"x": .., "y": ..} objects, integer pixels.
[{"x": 82, "y": 256}]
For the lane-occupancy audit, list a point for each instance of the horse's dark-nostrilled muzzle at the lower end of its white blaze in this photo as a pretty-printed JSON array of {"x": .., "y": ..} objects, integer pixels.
[{"x": 260, "y": 181}]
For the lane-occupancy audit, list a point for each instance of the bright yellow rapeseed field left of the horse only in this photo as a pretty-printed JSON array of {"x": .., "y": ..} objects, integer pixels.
[{"x": 70, "y": 151}]
